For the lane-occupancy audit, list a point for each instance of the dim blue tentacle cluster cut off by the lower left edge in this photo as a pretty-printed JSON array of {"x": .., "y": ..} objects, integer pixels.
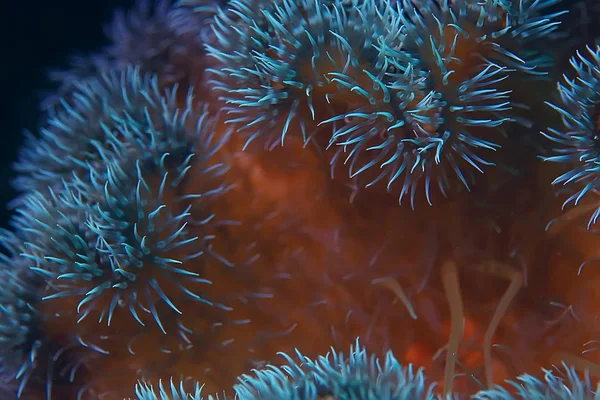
[{"x": 31, "y": 363}]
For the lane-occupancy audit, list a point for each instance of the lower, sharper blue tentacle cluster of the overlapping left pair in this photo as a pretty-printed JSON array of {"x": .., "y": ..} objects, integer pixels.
[{"x": 101, "y": 253}]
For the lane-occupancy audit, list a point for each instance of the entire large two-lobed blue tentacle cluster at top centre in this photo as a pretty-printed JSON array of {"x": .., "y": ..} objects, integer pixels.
[{"x": 413, "y": 110}]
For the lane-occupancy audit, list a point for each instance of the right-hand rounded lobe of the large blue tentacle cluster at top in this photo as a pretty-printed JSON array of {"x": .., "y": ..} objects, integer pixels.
[{"x": 445, "y": 99}]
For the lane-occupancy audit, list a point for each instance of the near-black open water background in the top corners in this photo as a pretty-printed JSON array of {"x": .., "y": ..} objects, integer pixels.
[{"x": 40, "y": 35}]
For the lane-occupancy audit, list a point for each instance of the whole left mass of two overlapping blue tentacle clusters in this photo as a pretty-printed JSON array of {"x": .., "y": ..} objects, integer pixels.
[{"x": 111, "y": 210}]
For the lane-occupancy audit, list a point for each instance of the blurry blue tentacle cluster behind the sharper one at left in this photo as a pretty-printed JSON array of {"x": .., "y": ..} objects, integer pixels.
[{"x": 81, "y": 136}]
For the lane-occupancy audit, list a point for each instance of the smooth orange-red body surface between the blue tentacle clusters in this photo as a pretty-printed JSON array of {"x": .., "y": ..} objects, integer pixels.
[{"x": 316, "y": 265}]
